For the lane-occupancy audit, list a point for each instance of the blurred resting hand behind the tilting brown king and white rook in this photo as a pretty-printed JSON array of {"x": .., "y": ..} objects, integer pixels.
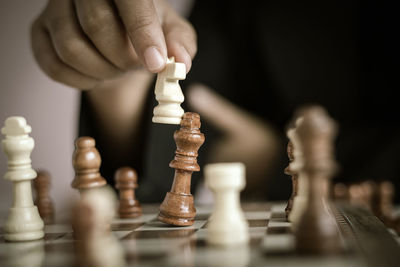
[{"x": 245, "y": 137}]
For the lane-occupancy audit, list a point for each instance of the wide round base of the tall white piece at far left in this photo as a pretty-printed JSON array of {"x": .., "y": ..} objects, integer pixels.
[{"x": 23, "y": 224}]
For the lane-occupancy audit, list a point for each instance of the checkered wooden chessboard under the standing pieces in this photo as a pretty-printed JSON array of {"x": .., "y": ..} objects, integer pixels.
[{"x": 147, "y": 242}]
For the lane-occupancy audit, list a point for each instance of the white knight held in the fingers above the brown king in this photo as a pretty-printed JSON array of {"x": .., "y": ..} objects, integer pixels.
[{"x": 169, "y": 94}]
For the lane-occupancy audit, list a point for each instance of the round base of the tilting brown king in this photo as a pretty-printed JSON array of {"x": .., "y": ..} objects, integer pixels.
[{"x": 177, "y": 209}]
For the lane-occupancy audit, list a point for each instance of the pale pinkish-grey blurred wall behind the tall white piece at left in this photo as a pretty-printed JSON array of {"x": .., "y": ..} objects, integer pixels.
[{"x": 50, "y": 108}]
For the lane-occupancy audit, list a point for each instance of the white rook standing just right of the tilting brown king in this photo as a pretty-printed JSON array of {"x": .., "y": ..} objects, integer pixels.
[{"x": 227, "y": 225}]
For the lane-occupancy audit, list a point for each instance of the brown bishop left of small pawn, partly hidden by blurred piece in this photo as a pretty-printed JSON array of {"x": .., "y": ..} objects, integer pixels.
[{"x": 86, "y": 161}]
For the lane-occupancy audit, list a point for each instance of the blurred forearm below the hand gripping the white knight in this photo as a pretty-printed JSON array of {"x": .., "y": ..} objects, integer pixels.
[{"x": 118, "y": 107}]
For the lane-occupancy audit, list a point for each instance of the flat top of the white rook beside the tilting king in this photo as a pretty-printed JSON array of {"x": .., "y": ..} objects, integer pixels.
[{"x": 220, "y": 176}]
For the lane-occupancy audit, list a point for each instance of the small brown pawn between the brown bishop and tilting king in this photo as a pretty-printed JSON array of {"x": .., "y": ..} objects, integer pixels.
[{"x": 126, "y": 182}]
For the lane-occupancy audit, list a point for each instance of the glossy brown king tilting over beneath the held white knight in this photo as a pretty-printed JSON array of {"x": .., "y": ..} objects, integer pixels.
[{"x": 178, "y": 207}]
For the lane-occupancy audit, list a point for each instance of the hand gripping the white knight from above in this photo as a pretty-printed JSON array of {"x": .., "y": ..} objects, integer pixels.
[{"x": 83, "y": 43}]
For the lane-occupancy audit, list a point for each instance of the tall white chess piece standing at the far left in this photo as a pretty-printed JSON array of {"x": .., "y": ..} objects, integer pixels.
[{"x": 23, "y": 222}]
